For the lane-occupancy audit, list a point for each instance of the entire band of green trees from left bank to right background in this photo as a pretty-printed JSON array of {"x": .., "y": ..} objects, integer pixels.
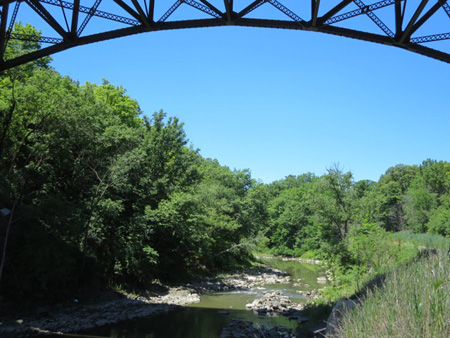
[{"x": 93, "y": 192}]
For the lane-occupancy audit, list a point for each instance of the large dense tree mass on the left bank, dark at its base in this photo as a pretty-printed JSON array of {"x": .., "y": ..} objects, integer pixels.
[{"x": 119, "y": 198}]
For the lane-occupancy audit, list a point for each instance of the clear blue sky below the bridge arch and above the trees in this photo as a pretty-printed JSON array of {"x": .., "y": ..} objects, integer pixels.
[{"x": 282, "y": 102}]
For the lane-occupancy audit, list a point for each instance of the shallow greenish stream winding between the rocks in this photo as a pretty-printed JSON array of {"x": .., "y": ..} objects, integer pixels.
[{"x": 215, "y": 310}]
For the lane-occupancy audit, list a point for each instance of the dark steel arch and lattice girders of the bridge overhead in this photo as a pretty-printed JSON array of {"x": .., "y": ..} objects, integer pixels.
[{"x": 140, "y": 19}]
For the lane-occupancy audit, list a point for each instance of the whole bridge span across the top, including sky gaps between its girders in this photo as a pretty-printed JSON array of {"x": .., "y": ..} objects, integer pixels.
[{"x": 414, "y": 25}]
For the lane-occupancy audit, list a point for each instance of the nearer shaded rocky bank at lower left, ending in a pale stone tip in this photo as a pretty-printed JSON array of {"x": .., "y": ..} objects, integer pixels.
[{"x": 83, "y": 315}]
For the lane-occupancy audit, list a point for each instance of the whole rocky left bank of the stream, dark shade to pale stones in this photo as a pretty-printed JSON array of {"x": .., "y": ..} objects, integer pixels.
[{"x": 111, "y": 307}]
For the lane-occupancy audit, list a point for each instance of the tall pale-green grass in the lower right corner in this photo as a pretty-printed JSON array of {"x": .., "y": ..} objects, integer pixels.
[{"x": 414, "y": 301}]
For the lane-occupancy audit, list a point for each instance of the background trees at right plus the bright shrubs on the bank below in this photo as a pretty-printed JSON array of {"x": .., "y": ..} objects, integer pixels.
[{"x": 346, "y": 222}]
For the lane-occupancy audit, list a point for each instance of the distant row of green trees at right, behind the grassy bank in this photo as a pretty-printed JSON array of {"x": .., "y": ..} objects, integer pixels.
[{"x": 317, "y": 213}]
